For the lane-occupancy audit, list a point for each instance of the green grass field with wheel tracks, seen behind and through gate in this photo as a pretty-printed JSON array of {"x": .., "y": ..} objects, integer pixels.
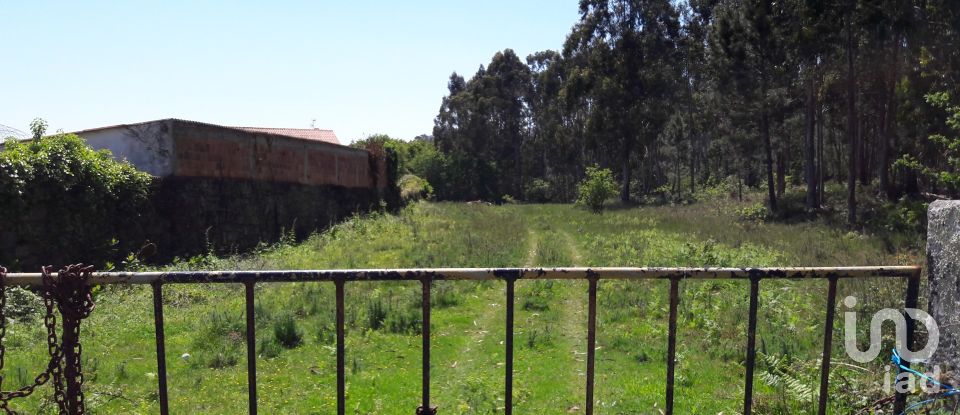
[{"x": 295, "y": 321}]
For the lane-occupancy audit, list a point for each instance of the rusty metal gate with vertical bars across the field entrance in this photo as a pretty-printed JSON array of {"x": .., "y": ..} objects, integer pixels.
[{"x": 510, "y": 275}]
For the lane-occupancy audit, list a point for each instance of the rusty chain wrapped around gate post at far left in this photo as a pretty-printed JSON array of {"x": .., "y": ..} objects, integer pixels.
[{"x": 71, "y": 296}]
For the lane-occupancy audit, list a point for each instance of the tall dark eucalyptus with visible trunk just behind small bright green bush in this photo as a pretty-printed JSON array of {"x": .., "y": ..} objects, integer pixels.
[{"x": 632, "y": 53}]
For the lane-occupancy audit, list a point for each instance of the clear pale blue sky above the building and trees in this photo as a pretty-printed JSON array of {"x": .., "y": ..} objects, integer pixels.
[{"x": 357, "y": 67}]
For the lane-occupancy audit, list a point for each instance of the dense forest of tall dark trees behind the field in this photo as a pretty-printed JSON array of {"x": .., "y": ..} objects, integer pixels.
[{"x": 674, "y": 96}]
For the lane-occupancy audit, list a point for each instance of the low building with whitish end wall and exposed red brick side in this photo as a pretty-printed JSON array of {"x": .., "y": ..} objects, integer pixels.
[{"x": 180, "y": 148}]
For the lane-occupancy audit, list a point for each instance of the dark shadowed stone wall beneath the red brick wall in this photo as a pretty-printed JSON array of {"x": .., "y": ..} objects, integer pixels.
[{"x": 234, "y": 215}]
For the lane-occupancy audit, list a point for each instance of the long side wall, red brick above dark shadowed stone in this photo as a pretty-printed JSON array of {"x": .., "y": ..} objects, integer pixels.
[{"x": 234, "y": 189}]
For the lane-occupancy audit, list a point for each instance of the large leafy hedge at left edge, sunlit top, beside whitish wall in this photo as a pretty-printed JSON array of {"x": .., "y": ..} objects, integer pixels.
[{"x": 65, "y": 202}]
